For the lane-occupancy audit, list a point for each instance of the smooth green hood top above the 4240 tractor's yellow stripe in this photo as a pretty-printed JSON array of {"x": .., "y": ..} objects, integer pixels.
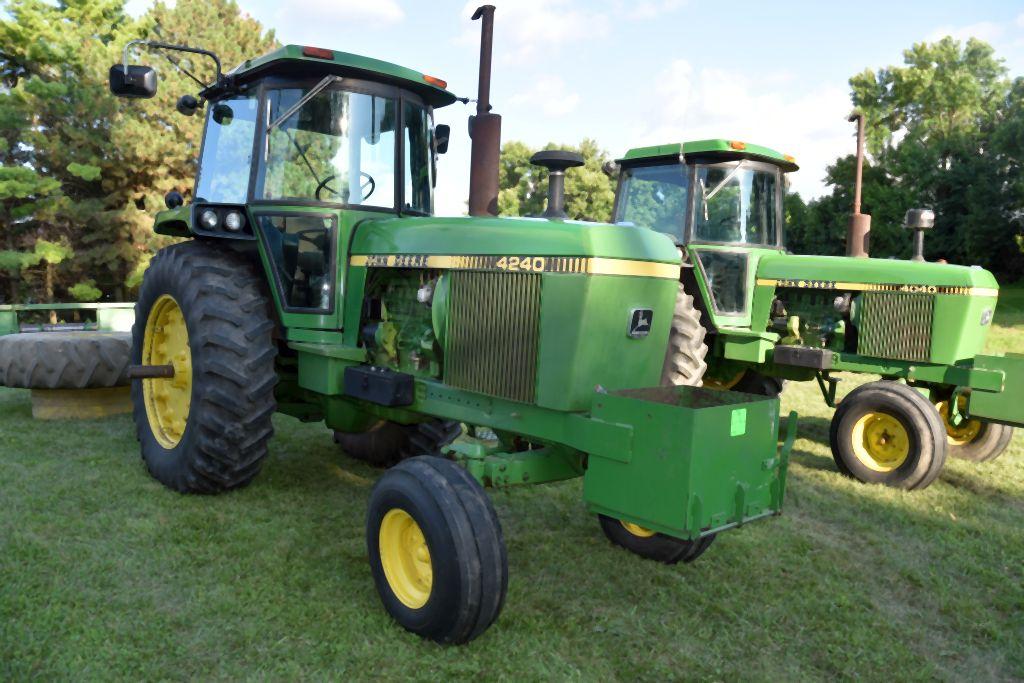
[{"x": 511, "y": 237}]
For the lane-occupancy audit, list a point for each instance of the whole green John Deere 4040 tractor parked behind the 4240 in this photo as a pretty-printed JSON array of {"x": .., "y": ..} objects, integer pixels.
[{"x": 751, "y": 317}]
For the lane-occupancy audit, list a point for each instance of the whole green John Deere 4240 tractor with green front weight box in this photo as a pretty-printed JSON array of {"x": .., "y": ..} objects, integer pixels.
[{"x": 465, "y": 353}]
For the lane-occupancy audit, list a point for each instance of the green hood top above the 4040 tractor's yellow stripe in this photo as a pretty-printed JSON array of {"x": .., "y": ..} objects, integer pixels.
[{"x": 839, "y": 270}]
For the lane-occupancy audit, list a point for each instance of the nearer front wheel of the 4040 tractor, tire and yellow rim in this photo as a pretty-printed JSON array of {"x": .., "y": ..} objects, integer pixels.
[{"x": 886, "y": 433}]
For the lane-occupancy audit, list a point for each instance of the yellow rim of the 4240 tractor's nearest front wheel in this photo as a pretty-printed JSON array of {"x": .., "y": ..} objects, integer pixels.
[{"x": 406, "y": 559}]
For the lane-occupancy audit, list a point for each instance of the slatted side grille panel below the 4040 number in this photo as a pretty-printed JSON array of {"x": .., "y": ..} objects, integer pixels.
[{"x": 895, "y": 325}]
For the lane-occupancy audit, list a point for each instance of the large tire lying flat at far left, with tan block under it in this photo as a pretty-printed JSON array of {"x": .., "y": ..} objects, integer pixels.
[{"x": 80, "y": 375}]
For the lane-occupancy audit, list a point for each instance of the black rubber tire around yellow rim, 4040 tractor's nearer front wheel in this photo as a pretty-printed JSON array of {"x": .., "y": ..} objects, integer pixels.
[{"x": 926, "y": 428}]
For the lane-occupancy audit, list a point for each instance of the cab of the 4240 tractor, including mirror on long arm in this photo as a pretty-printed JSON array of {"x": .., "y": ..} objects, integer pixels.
[{"x": 300, "y": 146}]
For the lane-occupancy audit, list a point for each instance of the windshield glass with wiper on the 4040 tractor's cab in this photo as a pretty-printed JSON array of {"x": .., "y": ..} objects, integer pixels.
[{"x": 737, "y": 203}]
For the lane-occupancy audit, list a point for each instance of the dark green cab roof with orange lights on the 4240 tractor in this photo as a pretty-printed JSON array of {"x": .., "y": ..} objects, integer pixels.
[{"x": 295, "y": 60}]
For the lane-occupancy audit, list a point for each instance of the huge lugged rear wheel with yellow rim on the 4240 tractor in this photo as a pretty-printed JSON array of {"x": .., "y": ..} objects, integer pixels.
[{"x": 203, "y": 311}]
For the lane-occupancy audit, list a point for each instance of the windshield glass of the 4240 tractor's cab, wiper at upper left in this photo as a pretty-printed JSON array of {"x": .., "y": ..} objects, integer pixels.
[{"x": 339, "y": 147}]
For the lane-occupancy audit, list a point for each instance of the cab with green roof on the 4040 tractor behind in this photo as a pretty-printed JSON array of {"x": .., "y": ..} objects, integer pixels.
[{"x": 720, "y": 201}]
